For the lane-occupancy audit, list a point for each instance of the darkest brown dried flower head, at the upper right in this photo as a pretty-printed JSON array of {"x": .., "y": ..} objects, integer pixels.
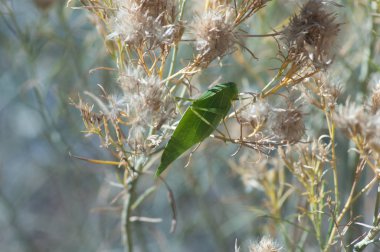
[{"x": 310, "y": 35}]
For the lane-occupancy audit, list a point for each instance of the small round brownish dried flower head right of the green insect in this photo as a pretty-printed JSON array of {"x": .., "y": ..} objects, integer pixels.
[{"x": 288, "y": 124}]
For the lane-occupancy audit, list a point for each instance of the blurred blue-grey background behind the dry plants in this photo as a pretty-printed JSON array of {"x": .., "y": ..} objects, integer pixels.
[{"x": 51, "y": 202}]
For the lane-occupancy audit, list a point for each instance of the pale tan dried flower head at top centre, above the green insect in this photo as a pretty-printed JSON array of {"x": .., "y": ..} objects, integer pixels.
[{"x": 214, "y": 35}]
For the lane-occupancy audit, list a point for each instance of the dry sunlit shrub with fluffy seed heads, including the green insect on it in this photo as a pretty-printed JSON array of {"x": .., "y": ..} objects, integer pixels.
[{"x": 159, "y": 110}]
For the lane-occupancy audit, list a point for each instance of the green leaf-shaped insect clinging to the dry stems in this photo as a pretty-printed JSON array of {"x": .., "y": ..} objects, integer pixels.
[{"x": 199, "y": 121}]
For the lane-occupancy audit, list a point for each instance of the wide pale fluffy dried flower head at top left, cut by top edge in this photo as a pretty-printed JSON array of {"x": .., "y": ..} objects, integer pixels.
[{"x": 139, "y": 22}]
